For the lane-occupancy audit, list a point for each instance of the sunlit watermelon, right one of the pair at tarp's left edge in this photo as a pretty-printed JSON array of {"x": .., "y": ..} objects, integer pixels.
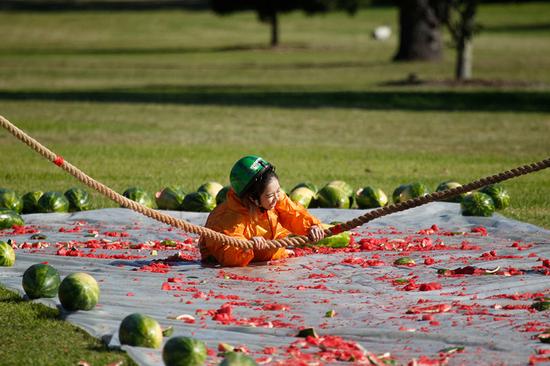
[{"x": 78, "y": 291}]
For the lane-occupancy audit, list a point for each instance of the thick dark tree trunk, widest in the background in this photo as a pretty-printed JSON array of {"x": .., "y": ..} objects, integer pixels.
[{"x": 419, "y": 33}]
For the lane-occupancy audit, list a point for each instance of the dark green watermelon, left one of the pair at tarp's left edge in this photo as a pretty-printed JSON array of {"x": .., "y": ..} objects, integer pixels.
[{"x": 41, "y": 280}]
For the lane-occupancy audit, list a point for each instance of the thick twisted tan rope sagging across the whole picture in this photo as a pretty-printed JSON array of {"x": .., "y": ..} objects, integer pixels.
[{"x": 279, "y": 243}]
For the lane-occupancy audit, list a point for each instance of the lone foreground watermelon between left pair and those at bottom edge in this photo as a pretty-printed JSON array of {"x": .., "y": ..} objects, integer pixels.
[{"x": 140, "y": 331}]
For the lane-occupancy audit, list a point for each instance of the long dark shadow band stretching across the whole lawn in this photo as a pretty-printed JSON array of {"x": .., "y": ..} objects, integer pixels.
[{"x": 250, "y": 96}]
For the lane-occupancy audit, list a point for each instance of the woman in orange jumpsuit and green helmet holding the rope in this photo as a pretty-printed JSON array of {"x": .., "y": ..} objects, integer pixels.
[{"x": 257, "y": 210}]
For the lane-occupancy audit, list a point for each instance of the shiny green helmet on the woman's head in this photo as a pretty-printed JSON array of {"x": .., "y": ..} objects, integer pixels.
[{"x": 246, "y": 171}]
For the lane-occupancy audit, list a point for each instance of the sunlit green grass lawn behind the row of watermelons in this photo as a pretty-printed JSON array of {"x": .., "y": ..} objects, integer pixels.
[{"x": 171, "y": 97}]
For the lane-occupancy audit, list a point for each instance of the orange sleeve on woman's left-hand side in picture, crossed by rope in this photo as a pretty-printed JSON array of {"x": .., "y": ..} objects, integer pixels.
[{"x": 227, "y": 255}]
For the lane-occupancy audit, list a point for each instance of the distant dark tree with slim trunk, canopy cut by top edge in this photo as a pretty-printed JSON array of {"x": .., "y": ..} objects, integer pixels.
[{"x": 268, "y": 10}]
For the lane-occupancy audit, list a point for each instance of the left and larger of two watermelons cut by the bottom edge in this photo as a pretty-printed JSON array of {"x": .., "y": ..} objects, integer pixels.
[{"x": 184, "y": 351}]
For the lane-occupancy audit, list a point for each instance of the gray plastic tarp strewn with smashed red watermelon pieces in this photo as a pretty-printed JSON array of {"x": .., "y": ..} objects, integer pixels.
[{"x": 411, "y": 312}]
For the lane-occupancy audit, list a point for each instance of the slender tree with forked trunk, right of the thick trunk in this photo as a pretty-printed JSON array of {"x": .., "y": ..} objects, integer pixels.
[{"x": 459, "y": 17}]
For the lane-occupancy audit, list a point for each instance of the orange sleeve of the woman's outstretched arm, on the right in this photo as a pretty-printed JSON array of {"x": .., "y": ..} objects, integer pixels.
[{"x": 295, "y": 217}]
